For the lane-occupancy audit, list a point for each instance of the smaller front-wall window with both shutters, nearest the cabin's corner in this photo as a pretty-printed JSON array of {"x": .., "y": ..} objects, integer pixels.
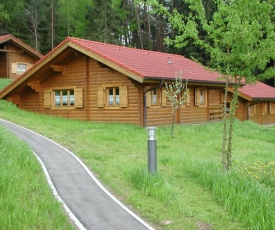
[{"x": 112, "y": 96}]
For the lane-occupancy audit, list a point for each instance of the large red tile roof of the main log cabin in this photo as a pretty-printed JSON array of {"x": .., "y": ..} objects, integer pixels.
[{"x": 149, "y": 64}]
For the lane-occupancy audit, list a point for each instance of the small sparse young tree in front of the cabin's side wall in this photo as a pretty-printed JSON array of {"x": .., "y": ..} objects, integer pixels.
[{"x": 174, "y": 93}]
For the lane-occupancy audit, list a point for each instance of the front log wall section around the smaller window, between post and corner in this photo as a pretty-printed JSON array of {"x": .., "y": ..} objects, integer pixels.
[{"x": 101, "y": 75}]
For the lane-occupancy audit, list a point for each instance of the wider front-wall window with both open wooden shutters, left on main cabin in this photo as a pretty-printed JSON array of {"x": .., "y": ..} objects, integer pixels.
[{"x": 63, "y": 98}]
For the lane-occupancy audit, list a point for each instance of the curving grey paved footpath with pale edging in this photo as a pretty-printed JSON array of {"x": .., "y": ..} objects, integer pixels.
[{"x": 88, "y": 203}]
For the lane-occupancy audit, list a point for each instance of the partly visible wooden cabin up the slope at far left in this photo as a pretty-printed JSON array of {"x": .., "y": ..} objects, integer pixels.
[{"x": 15, "y": 57}]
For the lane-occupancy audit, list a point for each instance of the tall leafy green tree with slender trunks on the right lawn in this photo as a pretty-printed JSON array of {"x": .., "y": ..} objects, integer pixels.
[{"x": 240, "y": 41}]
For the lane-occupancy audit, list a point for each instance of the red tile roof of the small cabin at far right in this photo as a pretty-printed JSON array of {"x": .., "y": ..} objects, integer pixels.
[{"x": 258, "y": 91}]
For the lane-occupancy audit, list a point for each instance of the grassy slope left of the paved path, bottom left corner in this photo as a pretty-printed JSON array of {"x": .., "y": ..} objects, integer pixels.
[{"x": 26, "y": 201}]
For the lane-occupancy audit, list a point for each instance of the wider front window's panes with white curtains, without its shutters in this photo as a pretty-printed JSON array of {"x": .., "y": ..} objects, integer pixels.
[{"x": 64, "y": 97}]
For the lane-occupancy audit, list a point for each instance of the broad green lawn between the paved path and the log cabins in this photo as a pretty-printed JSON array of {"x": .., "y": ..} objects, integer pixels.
[{"x": 190, "y": 190}]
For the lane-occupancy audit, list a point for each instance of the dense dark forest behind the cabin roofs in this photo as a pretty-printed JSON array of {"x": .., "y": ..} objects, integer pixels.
[{"x": 45, "y": 23}]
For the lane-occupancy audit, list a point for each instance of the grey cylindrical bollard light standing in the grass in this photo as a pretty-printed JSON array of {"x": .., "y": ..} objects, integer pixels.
[{"x": 152, "y": 153}]
